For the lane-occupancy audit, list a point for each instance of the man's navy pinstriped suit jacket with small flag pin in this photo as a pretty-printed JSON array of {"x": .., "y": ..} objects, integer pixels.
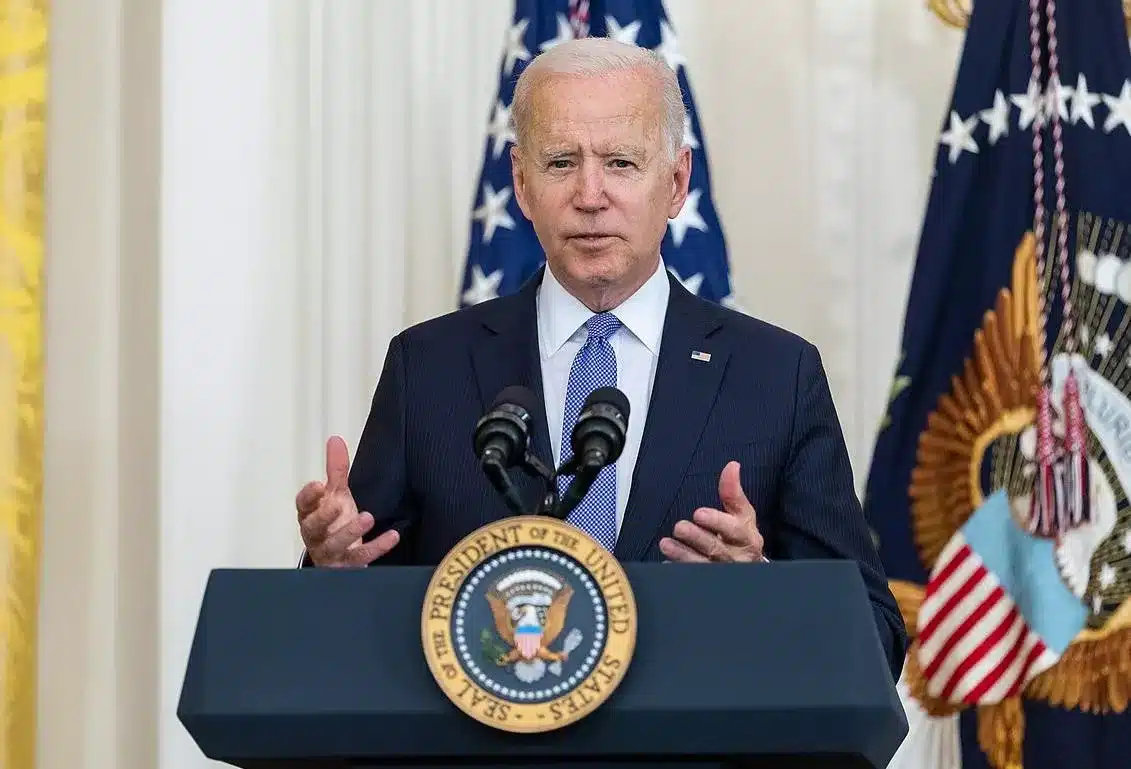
[{"x": 763, "y": 400}]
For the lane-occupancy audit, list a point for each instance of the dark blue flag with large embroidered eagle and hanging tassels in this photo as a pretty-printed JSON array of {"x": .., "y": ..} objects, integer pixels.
[{"x": 1007, "y": 535}]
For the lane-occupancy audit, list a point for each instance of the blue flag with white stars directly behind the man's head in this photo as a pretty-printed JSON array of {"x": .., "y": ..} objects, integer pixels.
[{"x": 504, "y": 250}]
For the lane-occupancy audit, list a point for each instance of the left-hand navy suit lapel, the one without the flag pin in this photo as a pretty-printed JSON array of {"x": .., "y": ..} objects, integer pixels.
[{"x": 508, "y": 355}]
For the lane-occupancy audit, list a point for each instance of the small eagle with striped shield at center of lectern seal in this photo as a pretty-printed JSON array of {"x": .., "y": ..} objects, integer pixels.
[{"x": 530, "y": 608}]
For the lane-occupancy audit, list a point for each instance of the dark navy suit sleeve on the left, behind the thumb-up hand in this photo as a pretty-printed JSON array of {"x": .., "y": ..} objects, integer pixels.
[{"x": 378, "y": 476}]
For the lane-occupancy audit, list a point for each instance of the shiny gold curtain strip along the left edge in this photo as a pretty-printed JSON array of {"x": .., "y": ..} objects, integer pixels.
[{"x": 23, "y": 97}]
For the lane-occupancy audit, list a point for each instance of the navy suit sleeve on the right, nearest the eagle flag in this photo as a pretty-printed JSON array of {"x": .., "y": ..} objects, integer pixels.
[{"x": 822, "y": 517}]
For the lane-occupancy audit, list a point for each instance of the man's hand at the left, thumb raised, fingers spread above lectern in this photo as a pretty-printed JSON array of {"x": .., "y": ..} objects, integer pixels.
[{"x": 329, "y": 520}]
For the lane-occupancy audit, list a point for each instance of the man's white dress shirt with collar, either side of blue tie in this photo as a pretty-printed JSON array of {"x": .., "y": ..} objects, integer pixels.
[{"x": 636, "y": 343}]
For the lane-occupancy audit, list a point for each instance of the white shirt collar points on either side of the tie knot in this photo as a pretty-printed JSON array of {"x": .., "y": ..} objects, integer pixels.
[{"x": 562, "y": 315}]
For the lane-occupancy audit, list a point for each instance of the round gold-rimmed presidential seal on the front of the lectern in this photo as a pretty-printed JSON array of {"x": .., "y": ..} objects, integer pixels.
[{"x": 529, "y": 625}]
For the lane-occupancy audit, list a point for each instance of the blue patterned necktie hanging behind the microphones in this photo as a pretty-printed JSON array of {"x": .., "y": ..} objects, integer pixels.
[{"x": 594, "y": 367}]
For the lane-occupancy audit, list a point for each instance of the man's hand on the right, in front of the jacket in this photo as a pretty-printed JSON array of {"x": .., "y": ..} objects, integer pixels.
[{"x": 727, "y": 535}]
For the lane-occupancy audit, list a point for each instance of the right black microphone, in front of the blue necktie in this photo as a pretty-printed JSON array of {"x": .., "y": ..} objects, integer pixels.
[{"x": 598, "y": 442}]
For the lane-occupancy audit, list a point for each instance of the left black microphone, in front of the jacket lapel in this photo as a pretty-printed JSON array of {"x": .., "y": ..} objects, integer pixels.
[{"x": 502, "y": 439}]
